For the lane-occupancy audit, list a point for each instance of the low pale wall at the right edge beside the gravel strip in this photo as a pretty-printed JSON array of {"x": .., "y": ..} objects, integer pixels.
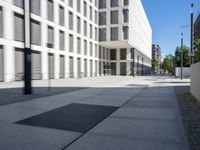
[{"x": 195, "y": 80}]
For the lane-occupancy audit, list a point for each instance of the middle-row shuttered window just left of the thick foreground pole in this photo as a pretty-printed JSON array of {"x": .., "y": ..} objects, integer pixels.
[{"x": 19, "y": 27}]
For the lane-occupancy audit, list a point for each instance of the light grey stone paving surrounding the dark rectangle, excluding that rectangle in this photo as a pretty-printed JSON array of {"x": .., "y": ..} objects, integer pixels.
[{"x": 148, "y": 117}]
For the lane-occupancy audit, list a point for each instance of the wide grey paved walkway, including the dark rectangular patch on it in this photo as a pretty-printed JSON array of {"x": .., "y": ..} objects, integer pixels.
[{"x": 131, "y": 114}]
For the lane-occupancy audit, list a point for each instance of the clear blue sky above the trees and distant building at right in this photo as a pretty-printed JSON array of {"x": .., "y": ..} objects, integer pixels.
[{"x": 166, "y": 18}]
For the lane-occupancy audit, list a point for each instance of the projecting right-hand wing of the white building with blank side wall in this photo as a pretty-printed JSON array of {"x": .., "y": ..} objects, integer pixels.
[{"x": 125, "y": 30}]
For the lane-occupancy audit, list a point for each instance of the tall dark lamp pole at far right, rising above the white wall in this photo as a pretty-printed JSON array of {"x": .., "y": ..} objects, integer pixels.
[{"x": 191, "y": 36}]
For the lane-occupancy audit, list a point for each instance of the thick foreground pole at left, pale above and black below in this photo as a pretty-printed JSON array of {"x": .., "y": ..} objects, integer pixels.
[{"x": 27, "y": 49}]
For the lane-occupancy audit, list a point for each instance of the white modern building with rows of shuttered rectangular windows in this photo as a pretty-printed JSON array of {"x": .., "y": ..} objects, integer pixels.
[{"x": 72, "y": 38}]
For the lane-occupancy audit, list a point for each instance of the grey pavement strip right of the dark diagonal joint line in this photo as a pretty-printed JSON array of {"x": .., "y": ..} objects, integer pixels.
[{"x": 150, "y": 121}]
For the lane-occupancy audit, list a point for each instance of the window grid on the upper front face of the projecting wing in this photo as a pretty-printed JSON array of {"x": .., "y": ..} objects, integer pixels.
[{"x": 113, "y": 20}]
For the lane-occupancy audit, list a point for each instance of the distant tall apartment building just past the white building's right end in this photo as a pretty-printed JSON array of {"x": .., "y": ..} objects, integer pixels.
[{"x": 156, "y": 54}]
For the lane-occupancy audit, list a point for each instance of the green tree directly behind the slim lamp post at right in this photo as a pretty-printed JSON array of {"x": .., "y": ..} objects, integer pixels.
[{"x": 186, "y": 58}]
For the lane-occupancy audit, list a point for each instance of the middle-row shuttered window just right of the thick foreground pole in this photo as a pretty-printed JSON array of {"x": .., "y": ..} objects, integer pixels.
[{"x": 35, "y": 32}]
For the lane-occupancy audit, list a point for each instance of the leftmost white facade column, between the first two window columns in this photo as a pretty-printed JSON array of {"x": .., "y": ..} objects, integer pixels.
[{"x": 9, "y": 53}]
